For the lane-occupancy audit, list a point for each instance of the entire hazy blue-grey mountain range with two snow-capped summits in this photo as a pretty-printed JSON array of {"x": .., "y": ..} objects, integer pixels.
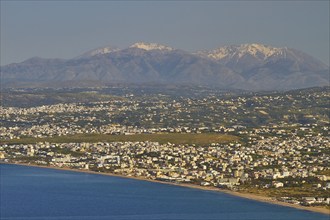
[{"x": 247, "y": 66}]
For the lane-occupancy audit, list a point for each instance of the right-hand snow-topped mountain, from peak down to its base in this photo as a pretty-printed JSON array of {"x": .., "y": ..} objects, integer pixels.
[{"x": 264, "y": 67}]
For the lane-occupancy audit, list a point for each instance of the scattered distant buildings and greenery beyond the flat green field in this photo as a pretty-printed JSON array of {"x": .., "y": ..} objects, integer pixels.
[{"x": 159, "y": 113}]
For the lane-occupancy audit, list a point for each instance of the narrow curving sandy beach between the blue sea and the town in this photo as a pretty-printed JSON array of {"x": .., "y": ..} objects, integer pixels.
[{"x": 250, "y": 196}]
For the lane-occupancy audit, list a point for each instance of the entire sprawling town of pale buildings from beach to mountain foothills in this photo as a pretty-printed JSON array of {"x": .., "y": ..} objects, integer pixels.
[{"x": 277, "y": 144}]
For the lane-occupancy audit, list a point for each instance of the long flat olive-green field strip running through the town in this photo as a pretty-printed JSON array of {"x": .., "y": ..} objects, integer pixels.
[{"x": 175, "y": 138}]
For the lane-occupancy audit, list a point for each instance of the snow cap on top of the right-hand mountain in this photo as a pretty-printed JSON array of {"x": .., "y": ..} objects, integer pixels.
[{"x": 259, "y": 51}]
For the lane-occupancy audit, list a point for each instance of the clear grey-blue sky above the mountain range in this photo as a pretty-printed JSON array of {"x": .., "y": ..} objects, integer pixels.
[{"x": 66, "y": 29}]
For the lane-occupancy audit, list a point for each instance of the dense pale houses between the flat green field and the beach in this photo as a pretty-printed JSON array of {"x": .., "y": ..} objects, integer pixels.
[{"x": 269, "y": 162}]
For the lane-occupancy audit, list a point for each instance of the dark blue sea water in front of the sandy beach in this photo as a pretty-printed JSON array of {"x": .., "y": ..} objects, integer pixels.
[{"x": 38, "y": 193}]
